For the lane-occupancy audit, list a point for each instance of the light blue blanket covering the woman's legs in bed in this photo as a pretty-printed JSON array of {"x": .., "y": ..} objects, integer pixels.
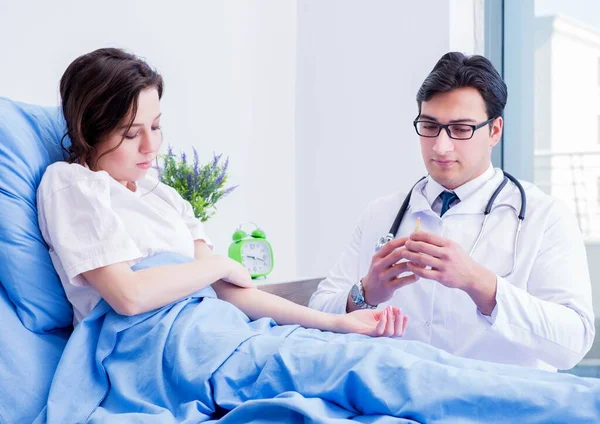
[{"x": 202, "y": 360}]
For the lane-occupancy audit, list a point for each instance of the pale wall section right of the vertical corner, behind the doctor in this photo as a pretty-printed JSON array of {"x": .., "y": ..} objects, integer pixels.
[{"x": 359, "y": 67}]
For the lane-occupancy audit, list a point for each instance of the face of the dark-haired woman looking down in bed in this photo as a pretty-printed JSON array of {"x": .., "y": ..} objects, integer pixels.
[{"x": 140, "y": 144}]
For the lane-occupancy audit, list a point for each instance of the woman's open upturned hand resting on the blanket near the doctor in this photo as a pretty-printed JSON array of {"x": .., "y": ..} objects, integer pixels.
[{"x": 388, "y": 322}]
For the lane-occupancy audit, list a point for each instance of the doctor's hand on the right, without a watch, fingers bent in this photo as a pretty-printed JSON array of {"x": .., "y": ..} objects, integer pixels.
[{"x": 445, "y": 261}]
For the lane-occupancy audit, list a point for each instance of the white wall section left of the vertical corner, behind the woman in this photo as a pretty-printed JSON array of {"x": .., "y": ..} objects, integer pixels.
[{"x": 229, "y": 70}]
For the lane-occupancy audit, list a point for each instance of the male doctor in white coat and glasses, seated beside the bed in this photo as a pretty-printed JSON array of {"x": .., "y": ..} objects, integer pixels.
[{"x": 533, "y": 308}]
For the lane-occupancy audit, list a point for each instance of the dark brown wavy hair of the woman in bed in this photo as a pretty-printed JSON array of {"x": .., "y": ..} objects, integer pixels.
[{"x": 98, "y": 91}]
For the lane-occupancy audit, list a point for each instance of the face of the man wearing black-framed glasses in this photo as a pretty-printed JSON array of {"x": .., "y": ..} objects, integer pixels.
[{"x": 450, "y": 162}]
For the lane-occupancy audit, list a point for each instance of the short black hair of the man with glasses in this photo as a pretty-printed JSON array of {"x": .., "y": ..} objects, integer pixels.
[{"x": 456, "y": 70}]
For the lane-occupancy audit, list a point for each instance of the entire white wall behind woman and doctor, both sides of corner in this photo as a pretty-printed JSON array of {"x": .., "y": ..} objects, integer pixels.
[{"x": 308, "y": 98}]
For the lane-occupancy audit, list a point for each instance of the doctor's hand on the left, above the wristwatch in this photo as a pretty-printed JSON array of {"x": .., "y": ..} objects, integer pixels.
[{"x": 383, "y": 278}]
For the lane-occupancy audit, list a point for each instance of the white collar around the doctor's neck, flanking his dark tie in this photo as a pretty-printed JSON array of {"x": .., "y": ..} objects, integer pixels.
[{"x": 474, "y": 197}]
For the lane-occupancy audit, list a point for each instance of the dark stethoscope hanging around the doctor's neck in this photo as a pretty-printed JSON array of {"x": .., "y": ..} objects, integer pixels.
[{"x": 488, "y": 209}]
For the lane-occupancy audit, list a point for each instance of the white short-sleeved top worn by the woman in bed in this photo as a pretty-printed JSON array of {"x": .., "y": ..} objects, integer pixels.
[{"x": 89, "y": 220}]
